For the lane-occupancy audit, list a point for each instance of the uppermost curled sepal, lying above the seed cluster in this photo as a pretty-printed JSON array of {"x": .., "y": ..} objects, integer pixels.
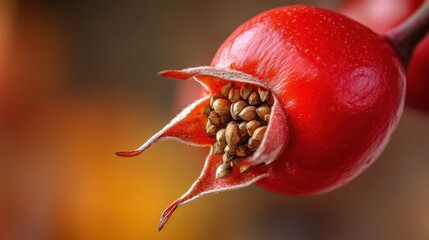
[{"x": 212, "y": 78}]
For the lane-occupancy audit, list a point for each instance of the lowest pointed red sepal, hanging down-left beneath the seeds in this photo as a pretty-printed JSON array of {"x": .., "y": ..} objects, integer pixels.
[{"x": 208, "y": 183}]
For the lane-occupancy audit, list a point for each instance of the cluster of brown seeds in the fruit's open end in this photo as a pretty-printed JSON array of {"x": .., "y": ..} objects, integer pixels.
[{"x": 237, "y": 118}]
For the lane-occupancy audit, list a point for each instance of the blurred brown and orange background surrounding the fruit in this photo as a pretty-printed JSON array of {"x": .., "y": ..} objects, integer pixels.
[{"x": 78, "y": 81}]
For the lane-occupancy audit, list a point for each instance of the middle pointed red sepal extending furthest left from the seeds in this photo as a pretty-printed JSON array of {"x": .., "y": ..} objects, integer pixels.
[{"x": 187, "y": 127}]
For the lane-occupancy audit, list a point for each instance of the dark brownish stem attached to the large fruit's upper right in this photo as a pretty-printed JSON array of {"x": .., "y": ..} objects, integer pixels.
[{"x": 405, "y": 37}]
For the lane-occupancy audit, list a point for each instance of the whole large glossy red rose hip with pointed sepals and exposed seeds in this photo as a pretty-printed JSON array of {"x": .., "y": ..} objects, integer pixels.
[{"x": 337, "y": 92}]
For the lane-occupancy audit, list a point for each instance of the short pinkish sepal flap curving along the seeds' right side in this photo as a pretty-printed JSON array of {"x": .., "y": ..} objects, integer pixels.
[{"x": 274, "y": 141}]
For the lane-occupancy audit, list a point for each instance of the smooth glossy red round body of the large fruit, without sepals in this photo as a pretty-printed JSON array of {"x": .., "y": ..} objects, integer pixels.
[{"x": 340, "y": 85}]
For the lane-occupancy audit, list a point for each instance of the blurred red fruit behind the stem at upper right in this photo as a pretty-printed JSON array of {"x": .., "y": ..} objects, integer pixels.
[{"x": 383, "y": 15}]
